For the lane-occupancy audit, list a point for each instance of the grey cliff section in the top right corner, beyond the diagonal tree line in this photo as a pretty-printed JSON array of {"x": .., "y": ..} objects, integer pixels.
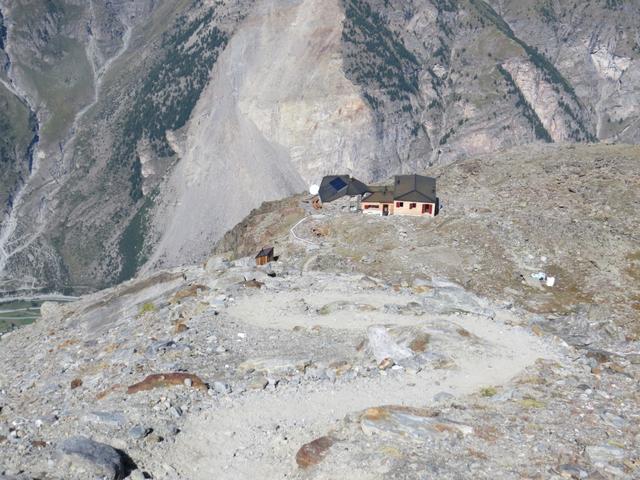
[{"x": 595, "y": 46}]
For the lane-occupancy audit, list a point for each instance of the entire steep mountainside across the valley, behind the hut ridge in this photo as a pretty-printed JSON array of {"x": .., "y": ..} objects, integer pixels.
[{"x": 140, "y": 131}]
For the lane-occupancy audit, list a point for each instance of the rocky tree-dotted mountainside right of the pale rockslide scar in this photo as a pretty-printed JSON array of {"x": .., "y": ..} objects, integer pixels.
[{"x": 452, "y": 78}]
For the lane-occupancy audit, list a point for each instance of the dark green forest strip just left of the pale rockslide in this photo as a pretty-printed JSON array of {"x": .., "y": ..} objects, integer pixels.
[{"x": 163, "y": 101}]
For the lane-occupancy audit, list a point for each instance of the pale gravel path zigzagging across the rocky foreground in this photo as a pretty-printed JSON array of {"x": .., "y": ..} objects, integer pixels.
[{"x": 257, "y": 435}]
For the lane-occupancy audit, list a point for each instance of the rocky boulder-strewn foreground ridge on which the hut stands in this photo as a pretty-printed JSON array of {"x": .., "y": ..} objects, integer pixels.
[{"x": 352, "y": 358}]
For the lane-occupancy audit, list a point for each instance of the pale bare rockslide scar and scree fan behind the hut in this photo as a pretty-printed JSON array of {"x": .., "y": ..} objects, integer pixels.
[{"x": 280, "y": 113}]
